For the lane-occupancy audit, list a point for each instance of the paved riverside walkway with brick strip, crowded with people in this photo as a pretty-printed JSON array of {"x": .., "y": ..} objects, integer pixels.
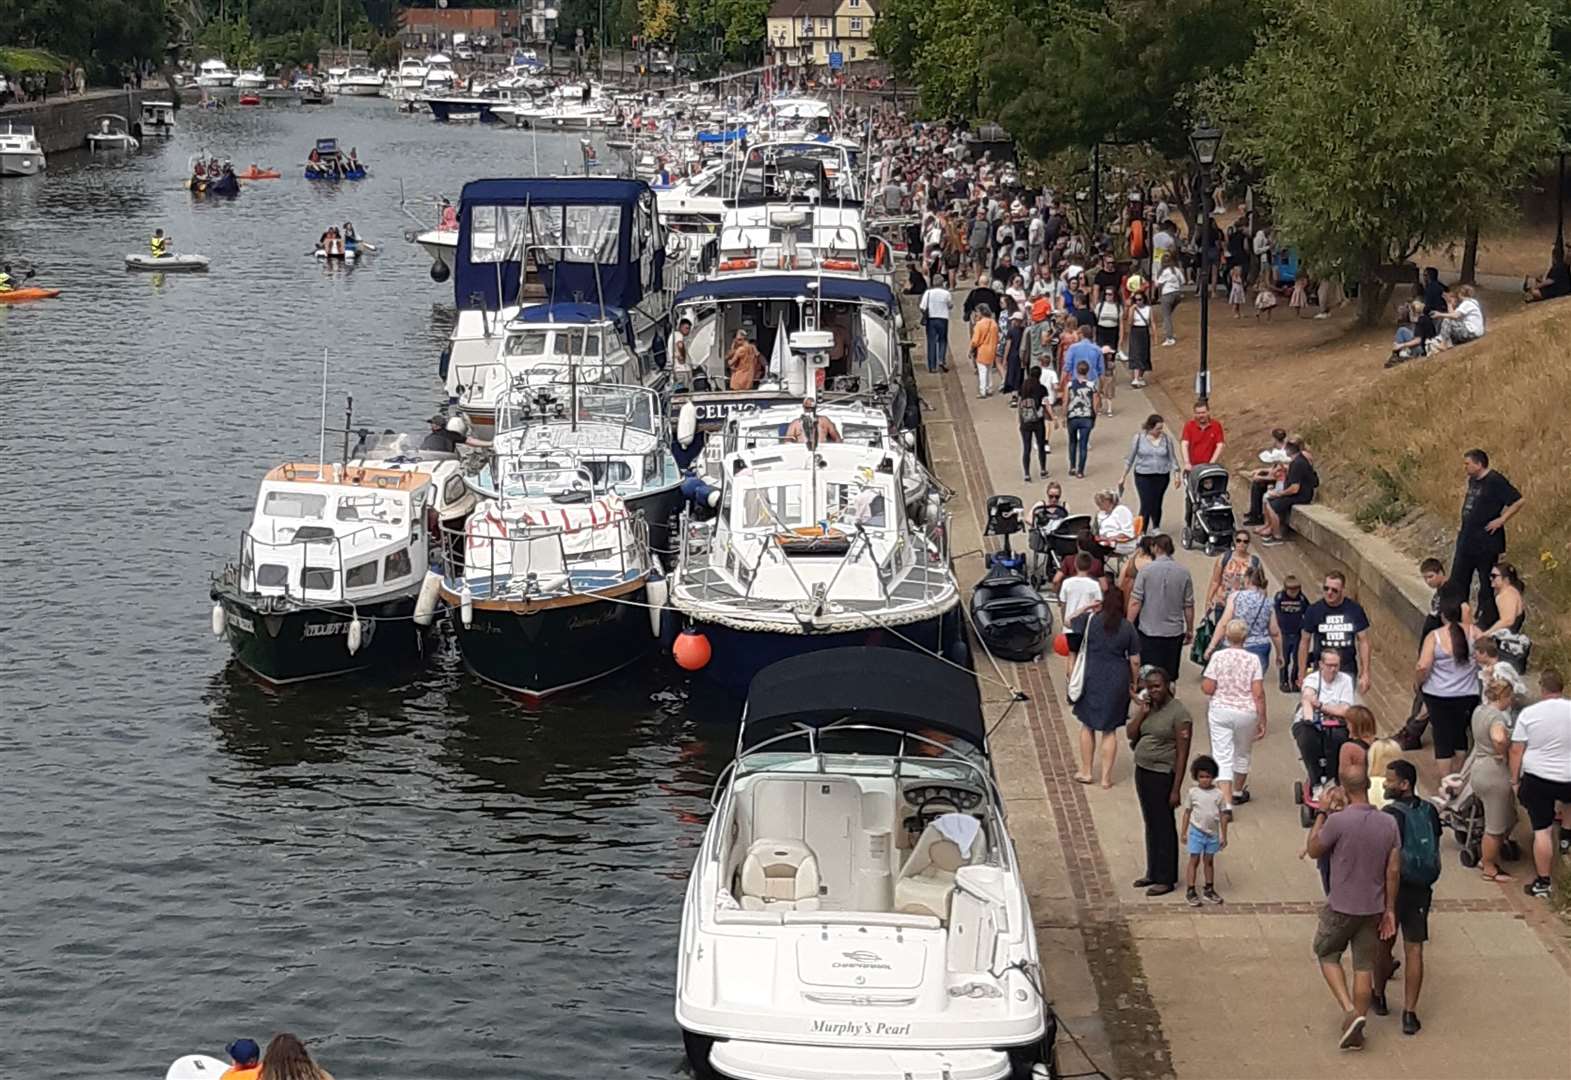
[{"x": 1226, "y": 991}]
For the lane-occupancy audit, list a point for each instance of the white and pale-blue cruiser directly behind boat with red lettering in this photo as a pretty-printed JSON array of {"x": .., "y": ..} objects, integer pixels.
[{"x": 618, "y": 433}]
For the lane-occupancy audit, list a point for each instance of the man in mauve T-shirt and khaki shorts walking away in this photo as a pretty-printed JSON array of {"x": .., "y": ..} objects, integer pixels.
[{"x": 1361, "y": 905}]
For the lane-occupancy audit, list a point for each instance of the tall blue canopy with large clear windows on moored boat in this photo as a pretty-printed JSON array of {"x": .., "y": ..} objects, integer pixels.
[{"x": 587, "y": 240}]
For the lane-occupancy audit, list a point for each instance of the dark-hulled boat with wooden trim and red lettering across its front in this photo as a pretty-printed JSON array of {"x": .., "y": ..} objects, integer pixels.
[{"x": 552, "y": 582}]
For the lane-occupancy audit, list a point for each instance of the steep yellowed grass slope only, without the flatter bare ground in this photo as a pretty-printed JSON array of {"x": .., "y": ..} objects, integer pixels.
[{"x": 1391, "y": 457}]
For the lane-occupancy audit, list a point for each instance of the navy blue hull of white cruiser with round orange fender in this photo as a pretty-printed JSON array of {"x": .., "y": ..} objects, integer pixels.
[{"x": 736, "y": 656}]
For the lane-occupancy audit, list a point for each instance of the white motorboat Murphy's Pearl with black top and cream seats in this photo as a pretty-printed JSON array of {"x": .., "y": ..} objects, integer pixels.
[{"x": 857, "y": 906}]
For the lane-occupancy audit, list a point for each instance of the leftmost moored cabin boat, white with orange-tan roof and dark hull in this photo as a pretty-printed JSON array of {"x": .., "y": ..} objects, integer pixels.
[{"x": 331, "y": 564}]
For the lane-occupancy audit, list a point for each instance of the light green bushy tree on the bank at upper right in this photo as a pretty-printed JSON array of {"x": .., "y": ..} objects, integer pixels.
[{"x": 1380, "y": 128}]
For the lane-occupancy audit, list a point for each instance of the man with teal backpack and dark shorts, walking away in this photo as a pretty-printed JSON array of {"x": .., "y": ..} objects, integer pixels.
[{"x": 1419, "y": 842}]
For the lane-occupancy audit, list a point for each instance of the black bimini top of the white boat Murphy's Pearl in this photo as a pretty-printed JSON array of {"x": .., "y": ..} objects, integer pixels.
[{"x": 887, "y": 688}]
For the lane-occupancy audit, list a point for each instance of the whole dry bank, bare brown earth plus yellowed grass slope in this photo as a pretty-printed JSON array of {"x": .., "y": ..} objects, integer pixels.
[{"x": 1390, "y": 443}]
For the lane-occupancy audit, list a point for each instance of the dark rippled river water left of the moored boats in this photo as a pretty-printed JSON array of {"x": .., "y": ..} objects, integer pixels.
[{"x": 416, "y": 876}]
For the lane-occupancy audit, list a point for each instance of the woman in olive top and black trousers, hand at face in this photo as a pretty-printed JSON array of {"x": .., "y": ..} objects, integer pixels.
[{"x": 1160, "y": 733}]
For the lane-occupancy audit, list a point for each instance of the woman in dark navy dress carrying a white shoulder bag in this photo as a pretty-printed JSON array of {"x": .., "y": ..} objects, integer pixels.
[{"x": 1113, "y": 669}]
